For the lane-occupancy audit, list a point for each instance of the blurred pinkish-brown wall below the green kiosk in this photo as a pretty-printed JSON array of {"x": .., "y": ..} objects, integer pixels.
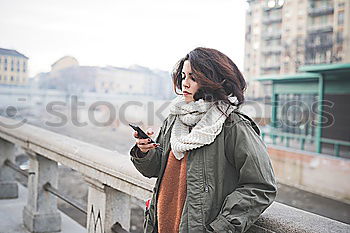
[{"x": 321, "y": 174}]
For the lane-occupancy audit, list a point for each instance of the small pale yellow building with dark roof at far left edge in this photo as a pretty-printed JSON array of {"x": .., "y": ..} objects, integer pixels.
[{"x": 13, "y": 68}]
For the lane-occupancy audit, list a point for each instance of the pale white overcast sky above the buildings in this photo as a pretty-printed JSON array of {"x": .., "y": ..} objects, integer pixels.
[{"x": 121, "y": 33}]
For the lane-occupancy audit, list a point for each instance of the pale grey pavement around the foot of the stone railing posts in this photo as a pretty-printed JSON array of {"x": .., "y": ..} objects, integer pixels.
[{"x": 11, "y": 216}]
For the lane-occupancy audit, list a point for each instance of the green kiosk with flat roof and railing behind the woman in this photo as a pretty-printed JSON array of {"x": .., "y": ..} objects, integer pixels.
[{"x": 311, "y": 109}]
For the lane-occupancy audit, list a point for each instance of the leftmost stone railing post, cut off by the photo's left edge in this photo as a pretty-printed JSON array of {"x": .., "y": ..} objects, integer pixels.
[{"x": 8, "y": 184}]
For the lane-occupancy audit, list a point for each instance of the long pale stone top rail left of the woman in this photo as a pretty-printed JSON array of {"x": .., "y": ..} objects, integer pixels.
[{"x": 106, "y": 166}]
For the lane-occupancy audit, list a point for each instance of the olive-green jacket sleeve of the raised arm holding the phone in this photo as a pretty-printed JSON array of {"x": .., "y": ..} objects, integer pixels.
[{"x": 148, "y": 164}]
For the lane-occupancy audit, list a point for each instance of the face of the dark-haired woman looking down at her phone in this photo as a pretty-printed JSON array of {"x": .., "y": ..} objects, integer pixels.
[{"x": 189, "y": 84}]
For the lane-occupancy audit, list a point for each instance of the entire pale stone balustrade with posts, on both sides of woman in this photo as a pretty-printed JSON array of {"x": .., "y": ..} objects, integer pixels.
[{"x": 112, "y": 181}]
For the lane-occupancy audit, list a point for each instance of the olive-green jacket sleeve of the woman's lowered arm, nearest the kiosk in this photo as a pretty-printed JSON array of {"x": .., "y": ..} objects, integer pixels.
[{"x": 256, "y": 188}]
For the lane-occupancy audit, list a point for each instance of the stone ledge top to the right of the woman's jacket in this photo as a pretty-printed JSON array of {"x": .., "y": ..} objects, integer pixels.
[{"x": 281, "y": 218}]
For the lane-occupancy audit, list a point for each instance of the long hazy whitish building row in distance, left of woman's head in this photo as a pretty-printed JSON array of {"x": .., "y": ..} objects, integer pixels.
[{"x": 67, "y": 75}]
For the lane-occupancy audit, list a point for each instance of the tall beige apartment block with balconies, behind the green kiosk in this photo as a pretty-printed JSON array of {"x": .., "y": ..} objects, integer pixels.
[{"x": 282, "y": 35}]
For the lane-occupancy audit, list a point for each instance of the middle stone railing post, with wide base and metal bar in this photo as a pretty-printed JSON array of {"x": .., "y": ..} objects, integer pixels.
[{"x": 41, "y": 213}]
